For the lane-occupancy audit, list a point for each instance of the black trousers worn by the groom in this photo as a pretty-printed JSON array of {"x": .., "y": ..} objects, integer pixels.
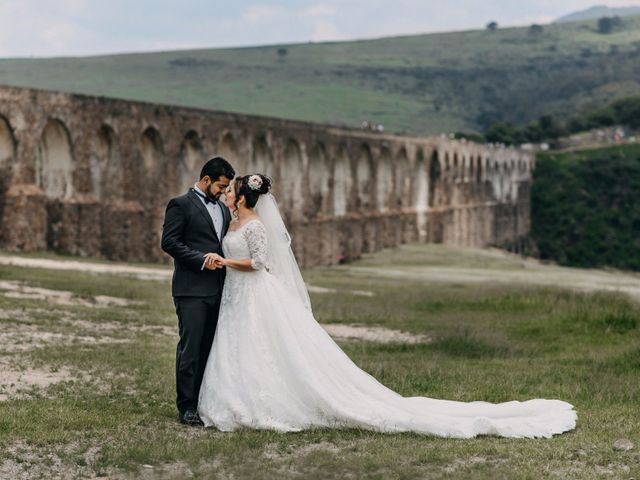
[{"x": 197, "y": 321}]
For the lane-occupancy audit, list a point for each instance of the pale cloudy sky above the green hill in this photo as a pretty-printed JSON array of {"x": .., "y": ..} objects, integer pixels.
[{"x": 86, "y": 27}]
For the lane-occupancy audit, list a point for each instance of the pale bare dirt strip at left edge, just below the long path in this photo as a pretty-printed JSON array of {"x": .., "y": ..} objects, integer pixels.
[{"x": 13, "y": 289}]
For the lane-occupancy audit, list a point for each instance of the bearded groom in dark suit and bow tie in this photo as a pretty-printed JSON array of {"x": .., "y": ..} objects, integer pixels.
[{"x": 194, "y": 225}]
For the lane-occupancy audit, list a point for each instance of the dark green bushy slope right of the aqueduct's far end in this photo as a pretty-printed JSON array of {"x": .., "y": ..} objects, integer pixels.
[{"x": 586, "y": 207}]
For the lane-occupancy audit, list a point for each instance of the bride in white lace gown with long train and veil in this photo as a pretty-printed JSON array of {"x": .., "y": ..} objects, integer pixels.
[{"x": 272, "y": 366}]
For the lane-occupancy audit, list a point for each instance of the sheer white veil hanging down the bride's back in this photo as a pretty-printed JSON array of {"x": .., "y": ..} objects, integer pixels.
[{"x": 280, "y": 259}]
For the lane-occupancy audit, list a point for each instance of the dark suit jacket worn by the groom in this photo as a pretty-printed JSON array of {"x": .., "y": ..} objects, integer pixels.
[{"x": 187, "y": 234}]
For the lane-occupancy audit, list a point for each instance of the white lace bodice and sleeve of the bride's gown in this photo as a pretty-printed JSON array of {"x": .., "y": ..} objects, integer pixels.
[{"x": 248, "y": 241}]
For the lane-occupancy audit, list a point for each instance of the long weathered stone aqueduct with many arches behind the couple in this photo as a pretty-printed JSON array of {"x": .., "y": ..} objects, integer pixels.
[{"x": 91, "y": 176}]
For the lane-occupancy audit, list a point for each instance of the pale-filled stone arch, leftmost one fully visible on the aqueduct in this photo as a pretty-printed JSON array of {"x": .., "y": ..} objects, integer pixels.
[{"x": 54, "y": 161}]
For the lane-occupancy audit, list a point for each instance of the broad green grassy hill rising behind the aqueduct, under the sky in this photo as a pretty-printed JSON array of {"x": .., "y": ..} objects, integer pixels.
[{"x": 419, "y": 84}]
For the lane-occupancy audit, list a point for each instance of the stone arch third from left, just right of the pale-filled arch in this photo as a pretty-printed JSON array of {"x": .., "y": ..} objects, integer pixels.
[{"x": 107, "y": 172}]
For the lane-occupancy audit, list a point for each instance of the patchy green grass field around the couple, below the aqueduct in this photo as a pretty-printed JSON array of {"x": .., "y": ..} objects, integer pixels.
[{"x": 499, "y": 328}]
